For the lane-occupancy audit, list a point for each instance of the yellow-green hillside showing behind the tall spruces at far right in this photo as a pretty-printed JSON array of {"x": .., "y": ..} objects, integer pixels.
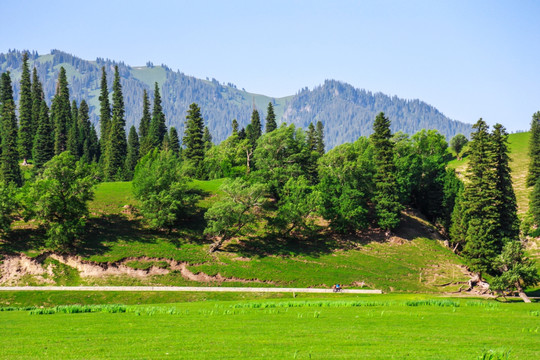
[{"x": 518, "y": 145}]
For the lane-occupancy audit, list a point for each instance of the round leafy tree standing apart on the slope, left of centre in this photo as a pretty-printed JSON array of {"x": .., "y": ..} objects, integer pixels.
[{"x": 162, "y": 190}]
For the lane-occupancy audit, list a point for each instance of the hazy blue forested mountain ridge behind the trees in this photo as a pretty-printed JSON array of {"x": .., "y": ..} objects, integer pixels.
[{"x": 346, "y": 112}]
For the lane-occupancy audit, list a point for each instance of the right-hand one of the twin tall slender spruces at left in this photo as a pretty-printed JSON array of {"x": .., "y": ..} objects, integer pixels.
[{"x": 117, "y": 148}]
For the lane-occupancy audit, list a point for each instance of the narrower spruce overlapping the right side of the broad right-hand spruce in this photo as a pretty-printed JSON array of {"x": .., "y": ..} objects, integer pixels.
[{"x": 508, "y": 219}]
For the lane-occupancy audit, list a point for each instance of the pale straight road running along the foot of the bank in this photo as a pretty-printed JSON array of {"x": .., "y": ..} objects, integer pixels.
[{"x": 182, "y": 288}]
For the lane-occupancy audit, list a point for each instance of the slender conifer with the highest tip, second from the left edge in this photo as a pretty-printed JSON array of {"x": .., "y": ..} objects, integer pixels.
[{"x": 26, "y": 128}]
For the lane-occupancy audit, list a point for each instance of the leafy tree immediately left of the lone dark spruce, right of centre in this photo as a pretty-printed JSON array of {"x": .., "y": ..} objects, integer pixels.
[{"x": 346, "y": 179}]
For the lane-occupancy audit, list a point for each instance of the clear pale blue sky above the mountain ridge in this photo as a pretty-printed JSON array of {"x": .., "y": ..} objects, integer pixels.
[{"x": 470, "y": 59}]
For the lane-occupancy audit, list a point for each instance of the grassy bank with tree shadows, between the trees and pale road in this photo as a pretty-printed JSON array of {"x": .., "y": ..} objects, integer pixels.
[{"x": 411, "y": 262}]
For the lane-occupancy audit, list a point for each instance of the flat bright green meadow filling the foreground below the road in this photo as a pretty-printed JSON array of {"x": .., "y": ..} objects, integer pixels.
[{"x": 374, "y": 327}]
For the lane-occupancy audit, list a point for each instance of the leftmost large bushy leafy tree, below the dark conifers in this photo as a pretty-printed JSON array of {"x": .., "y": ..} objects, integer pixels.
[{"x": 58, "y": 200}]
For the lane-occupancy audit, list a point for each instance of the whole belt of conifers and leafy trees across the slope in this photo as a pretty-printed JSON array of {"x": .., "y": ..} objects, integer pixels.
[{"x": 280, "y": 179}]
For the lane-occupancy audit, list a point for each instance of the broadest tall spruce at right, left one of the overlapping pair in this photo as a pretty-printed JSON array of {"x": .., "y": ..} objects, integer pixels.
[{"x": 481, "y": 202}]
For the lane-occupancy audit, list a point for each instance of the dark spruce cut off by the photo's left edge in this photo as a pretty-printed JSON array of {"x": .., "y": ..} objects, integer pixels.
[{"x": 9, "y": 166}]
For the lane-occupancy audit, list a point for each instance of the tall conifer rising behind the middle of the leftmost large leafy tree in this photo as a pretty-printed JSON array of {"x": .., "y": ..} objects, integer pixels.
[{"x": 61, "y": 113}]
